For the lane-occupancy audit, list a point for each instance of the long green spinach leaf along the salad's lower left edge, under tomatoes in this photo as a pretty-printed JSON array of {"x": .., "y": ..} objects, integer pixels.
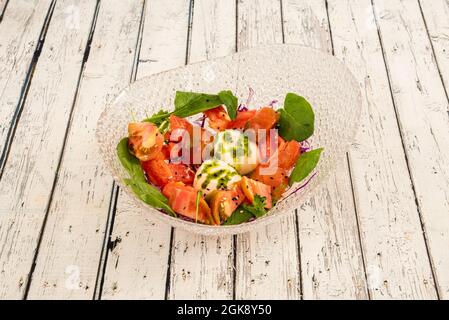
[{"x": 137, "y": 182}]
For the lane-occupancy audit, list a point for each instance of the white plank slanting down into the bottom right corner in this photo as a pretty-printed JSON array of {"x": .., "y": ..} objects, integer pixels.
[{"x": 422, "y": 108}]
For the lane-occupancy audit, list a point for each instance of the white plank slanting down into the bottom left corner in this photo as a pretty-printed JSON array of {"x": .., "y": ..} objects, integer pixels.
[{"x": 30, "y": 171}]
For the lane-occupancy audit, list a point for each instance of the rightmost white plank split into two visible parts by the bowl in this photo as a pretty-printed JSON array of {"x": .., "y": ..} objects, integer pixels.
[{"x": 331, "y": 258}]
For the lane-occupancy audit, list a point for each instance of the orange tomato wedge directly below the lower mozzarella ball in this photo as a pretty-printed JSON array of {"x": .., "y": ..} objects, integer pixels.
[{"x": 223, "y": 203}]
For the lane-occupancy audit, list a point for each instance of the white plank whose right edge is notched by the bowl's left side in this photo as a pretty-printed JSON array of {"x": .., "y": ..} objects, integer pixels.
[{"x": 68, "y": 259}]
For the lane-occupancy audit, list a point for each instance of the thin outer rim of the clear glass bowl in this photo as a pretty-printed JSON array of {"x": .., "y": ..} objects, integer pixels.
[{"x": 199, "y": 228}]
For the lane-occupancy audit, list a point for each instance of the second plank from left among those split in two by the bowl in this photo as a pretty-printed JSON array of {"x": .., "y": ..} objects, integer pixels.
[{"x": 202, "y": 267}]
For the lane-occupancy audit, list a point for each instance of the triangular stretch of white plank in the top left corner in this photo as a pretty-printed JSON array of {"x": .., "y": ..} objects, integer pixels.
[{"x": 20, "y": 30}]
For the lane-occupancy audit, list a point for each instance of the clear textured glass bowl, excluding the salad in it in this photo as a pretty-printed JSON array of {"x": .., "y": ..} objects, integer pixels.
[{"x": 272, "y": 72}]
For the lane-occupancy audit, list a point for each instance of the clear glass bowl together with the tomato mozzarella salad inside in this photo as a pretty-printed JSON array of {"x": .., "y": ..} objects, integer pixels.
[{"x": 218, "y": 164}]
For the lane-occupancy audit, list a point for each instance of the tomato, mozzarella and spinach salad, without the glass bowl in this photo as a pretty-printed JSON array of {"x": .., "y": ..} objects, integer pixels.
[{"x": 228, "y": 166}]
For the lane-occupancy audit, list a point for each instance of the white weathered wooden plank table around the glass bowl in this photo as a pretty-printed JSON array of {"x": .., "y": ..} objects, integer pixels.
[{"x": 378, "y": 230}]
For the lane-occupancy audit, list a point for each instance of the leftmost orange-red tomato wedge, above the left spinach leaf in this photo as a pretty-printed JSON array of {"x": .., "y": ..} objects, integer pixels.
[{"x": 145, "y": 140}]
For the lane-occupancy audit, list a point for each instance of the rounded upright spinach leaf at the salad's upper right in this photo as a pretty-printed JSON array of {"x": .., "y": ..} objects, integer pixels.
[{"x": 297, "y": 118}]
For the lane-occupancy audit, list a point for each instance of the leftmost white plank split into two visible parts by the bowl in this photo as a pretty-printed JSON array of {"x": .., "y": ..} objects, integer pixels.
[{"x": 137, "y": 266}]
